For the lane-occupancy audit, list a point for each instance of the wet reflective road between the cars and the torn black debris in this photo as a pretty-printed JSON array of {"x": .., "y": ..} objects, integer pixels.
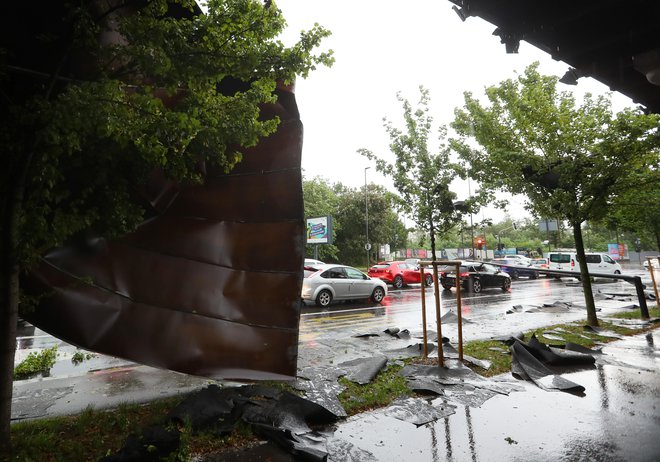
[{"x": 481, "y": 312}]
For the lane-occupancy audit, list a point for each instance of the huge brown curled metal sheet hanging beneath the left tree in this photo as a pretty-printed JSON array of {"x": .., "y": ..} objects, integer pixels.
[{"x": 209, "y": 286}]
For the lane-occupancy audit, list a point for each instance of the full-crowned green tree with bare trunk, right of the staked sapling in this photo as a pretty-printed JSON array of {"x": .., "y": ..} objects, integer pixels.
[{"x": 569, "y": 161}]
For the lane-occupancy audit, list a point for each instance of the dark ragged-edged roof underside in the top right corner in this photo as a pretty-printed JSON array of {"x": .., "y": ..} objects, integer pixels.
[{"x": 616, "y": 42}]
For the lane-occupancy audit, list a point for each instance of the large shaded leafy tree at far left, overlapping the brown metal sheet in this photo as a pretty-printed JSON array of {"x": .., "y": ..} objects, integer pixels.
[{"x": 96, "y": 95}]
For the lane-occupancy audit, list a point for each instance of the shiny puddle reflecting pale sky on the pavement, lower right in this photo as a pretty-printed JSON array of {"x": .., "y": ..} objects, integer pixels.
[{"x": 617, "y": 420}]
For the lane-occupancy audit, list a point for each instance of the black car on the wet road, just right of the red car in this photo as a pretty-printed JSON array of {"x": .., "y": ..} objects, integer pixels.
[{"x": 475, "y": 276}]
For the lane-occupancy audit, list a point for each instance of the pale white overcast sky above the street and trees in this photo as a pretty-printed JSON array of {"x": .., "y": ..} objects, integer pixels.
[{"x": 384, "y": 47}]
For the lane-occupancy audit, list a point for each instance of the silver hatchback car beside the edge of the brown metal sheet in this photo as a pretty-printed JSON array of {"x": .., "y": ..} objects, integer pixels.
[{"x": 330, "y": 282}]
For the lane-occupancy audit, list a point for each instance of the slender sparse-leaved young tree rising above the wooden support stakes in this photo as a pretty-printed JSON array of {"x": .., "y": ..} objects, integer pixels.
[{"x": 420, "y": 176}]
